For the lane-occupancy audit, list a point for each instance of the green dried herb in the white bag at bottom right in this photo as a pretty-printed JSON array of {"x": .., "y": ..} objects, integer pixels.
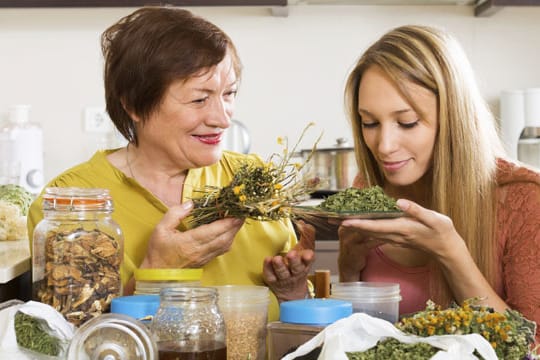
[{"x": 392, "y": 349}]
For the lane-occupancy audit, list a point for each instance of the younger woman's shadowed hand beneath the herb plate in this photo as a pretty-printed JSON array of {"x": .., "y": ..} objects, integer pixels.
[{"x": 353, "y": 250}]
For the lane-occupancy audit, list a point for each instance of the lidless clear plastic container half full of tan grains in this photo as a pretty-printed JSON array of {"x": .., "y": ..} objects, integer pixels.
[{"x": 245, "y": 310}]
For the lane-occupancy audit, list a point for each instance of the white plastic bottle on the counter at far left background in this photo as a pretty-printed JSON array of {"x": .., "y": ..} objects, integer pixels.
[{"x": 26, "y": 140}]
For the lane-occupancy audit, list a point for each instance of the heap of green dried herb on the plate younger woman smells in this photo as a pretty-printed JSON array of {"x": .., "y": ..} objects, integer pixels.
[{"x": 372, "y": 199}]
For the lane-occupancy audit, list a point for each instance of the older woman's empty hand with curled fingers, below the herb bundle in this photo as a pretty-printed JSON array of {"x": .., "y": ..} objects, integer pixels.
[{"x": 287, "y": 275}]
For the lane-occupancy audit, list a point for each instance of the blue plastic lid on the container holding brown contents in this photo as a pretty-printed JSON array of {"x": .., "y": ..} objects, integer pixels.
[{"x": 314, "y": 311}]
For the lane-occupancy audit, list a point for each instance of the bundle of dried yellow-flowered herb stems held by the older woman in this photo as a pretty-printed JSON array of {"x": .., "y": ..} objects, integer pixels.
[{"x": 261, "y": 192}]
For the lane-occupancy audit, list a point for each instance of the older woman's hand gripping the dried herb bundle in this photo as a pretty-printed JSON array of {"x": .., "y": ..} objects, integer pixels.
[{"x": 170, "y": 248}]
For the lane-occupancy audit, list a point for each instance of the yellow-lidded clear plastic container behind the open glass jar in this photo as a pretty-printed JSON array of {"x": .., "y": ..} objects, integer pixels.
[{"x": 151, "y": 281}]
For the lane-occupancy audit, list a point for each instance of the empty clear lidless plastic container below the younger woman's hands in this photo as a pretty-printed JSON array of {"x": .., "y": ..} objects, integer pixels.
[{"x": 377, "y": 299}]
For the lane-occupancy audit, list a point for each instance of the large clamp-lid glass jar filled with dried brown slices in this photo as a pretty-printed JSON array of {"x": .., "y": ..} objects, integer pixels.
[{"x": 77, "y": 252}]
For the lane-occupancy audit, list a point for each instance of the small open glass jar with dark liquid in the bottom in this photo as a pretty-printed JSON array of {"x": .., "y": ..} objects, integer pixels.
[{"x": 189, "y": 325}]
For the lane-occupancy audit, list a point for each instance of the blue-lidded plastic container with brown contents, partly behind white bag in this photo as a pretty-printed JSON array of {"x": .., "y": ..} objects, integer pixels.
[{"x": 300, "y": 320}]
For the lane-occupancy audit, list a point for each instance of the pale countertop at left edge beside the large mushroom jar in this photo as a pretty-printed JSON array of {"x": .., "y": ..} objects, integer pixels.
[{"x": 14, "y": 259}]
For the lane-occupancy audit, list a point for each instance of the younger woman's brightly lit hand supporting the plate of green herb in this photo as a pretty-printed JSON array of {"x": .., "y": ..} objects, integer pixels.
[{"x": 420, "y": 228}]
